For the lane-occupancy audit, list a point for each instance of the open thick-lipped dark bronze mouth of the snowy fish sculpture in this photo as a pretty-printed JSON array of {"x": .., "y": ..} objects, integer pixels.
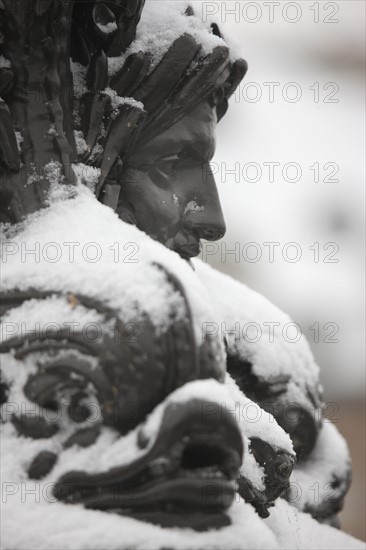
[{"x": 186, "y": 479}]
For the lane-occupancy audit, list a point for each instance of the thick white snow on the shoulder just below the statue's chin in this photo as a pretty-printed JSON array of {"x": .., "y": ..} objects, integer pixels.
[{"x": 258, "y": 331}]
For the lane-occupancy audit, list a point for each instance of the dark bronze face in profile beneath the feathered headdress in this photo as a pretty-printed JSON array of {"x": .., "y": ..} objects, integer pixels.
[{"x": 168, "y": 188}]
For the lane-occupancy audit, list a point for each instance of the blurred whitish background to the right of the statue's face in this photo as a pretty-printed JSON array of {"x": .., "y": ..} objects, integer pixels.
[{"x": 301, "y": 105}]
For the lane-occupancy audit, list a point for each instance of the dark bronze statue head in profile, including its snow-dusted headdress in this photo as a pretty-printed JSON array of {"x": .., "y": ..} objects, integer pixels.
[{"x": 144, "y": 117}]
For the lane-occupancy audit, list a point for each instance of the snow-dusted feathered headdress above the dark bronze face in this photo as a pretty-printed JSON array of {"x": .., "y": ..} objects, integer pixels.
[{"x": 78, "y": 86}]
